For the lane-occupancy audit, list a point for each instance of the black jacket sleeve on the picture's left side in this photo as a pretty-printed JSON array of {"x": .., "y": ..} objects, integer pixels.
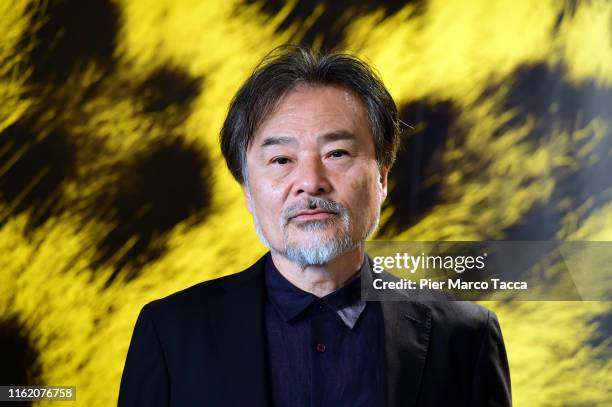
[{"x": 145, "y": 376}]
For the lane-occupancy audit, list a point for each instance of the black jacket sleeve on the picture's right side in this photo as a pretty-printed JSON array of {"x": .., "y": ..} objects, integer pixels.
[{"x": 491, "y": 386}]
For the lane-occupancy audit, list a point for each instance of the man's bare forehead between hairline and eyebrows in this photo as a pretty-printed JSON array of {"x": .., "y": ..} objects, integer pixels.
[{"x": 308, "y": 111}]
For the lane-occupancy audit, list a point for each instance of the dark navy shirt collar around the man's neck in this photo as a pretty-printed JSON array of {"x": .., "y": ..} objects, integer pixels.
[{"x": 291, "y": 301}]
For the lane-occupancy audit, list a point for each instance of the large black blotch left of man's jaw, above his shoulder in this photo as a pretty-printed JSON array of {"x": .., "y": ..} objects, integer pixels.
[{"x": 167, "y": 184}]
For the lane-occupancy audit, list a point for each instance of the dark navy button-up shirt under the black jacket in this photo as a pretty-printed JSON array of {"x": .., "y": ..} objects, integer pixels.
[{"x": 323, "y": 351}]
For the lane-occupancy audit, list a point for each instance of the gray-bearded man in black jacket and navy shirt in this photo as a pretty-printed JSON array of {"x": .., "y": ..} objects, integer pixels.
[{"x": 311, "y": 139}]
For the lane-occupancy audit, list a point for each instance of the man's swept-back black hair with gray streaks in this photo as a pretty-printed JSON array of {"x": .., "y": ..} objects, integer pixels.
[{"x": 290, "y": 66}]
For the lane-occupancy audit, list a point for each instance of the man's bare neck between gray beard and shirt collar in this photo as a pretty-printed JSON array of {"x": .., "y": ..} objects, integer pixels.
[{"x": 321, "y": 280}]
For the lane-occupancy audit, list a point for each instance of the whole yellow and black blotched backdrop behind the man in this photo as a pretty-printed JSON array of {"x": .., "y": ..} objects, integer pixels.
[{"x": 113, "y": 191}]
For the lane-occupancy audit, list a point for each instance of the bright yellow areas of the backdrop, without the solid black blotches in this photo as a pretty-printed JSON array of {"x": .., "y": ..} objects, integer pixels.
[{"x": 80, "y": 324}]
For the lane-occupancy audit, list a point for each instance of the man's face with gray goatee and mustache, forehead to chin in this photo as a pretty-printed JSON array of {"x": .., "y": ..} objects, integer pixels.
[{"x": 314, "y": 187}]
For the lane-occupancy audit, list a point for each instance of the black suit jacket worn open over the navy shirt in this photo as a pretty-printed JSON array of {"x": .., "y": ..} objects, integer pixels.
[{"x": 205, "y": 346}]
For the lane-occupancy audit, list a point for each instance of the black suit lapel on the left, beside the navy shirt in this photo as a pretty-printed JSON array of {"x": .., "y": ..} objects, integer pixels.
[{"x": 237, "y": 320}]
